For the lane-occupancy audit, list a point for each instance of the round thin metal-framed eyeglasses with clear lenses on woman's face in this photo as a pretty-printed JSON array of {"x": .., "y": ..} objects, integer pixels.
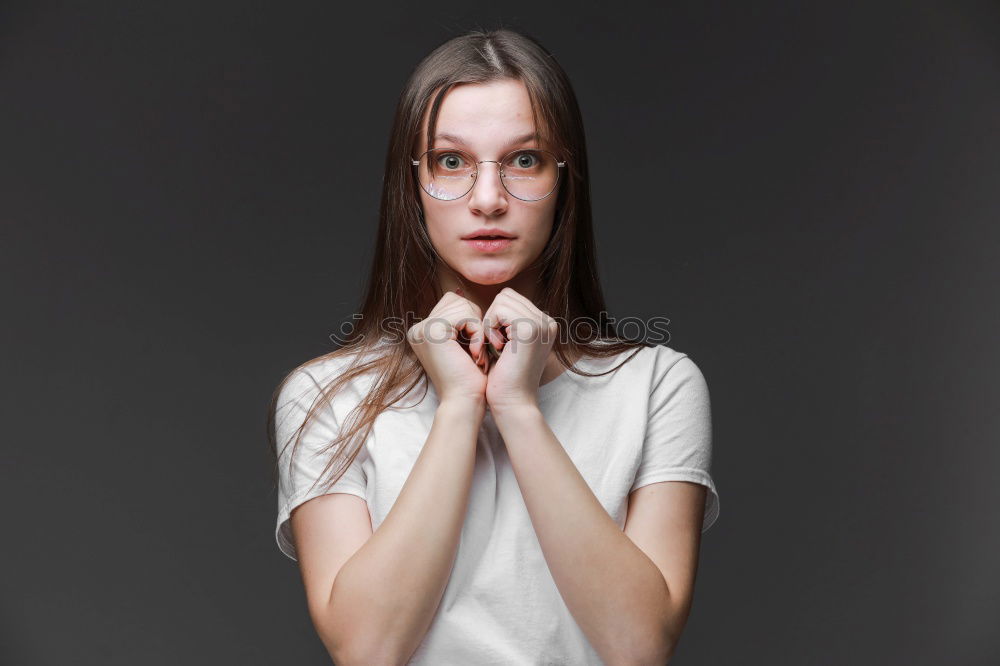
[{"x": 448, "y": 173}]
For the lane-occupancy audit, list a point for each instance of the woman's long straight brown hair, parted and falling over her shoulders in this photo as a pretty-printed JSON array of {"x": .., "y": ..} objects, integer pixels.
[{"x": 403, "y": 278}]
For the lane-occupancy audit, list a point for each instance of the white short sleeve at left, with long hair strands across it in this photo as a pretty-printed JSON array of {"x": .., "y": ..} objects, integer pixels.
[{"x": 297, "y": 473}]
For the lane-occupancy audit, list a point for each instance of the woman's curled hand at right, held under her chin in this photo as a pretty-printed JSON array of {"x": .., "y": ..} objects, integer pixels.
[{"x": 524, "y": 336}]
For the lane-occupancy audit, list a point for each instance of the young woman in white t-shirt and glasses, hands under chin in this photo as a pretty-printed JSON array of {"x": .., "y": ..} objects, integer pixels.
[{"x": 486, "y": 472}]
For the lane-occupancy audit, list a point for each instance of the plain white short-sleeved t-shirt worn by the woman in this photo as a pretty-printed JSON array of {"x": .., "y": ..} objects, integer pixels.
[{"x": 648, "y": 421}]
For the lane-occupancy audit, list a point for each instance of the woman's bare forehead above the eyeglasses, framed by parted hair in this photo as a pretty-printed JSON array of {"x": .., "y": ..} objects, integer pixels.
[{"x": 483, "y": 116}]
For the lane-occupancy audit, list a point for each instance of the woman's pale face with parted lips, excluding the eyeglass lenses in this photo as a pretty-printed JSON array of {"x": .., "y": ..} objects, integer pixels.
[{"x": 486, "y": 120}]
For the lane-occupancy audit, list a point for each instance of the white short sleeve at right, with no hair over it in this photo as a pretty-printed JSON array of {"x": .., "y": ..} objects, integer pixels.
[{"x": 678, "y": 440}]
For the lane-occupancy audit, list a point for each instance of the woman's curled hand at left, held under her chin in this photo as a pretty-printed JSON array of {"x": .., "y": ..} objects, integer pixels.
[{"x": 456, "y": 376}]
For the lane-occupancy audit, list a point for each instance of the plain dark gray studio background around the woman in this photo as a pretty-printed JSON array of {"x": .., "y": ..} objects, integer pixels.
[{"x": 809, "y": 191}]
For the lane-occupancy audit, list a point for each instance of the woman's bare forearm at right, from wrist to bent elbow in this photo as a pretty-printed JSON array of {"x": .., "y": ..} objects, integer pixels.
[{"x": 614, "y": 591}]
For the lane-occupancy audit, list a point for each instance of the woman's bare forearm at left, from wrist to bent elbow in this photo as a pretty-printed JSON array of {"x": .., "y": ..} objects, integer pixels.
[{"x": 386, "y": 595}]
